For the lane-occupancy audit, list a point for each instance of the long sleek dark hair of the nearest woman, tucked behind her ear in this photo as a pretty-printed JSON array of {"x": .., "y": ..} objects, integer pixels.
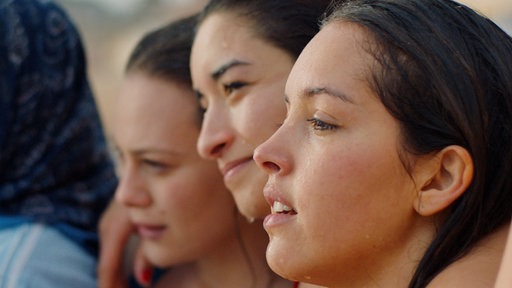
[{"x": 445, "y": 73}]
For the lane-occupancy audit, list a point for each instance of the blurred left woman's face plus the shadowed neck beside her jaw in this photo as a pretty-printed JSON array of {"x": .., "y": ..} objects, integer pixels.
[{"x": 183, "y": 213}]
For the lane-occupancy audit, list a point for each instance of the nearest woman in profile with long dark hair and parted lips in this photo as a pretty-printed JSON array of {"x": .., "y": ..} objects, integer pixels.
[{"x": 392, "y": 168}]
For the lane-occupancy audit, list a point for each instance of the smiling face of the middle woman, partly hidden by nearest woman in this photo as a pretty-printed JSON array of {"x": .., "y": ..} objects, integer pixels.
[{"x": 240, "y": 79}]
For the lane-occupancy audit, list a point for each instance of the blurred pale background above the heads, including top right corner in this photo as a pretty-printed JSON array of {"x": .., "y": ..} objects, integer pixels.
[{"x": 110, "y": 29}]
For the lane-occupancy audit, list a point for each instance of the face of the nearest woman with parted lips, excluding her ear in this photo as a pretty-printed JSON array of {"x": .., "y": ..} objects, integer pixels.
[{"x": 342, "y": 199}]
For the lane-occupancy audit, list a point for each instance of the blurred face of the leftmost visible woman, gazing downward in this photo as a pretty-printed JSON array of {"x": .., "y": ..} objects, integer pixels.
[{"x": 176, "y": 199}]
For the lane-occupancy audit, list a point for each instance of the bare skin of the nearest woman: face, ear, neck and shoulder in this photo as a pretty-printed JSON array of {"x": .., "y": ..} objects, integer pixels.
[{"x": 337, "y": 165}]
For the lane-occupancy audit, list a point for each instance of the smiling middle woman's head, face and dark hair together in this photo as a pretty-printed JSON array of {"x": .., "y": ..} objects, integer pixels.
[{"x": 242, "y": 53}]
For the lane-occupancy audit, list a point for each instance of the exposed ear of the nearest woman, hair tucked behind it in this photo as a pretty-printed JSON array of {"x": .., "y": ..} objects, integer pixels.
[{"x": 444, "y": 178}]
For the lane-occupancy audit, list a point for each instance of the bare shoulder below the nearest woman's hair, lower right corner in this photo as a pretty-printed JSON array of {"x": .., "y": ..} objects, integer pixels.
[{"x": 479, "y": 268}]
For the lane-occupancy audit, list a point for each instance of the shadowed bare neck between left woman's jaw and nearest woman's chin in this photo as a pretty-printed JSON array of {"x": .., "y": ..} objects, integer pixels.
[{"x": 240, "y": 262}]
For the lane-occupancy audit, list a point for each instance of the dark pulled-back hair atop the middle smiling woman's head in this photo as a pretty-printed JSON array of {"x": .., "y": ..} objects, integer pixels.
[{"x": 286, "y": 24}]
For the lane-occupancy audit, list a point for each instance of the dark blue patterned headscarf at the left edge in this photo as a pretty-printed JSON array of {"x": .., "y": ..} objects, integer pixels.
[{"x": 54, "y": 162}]
